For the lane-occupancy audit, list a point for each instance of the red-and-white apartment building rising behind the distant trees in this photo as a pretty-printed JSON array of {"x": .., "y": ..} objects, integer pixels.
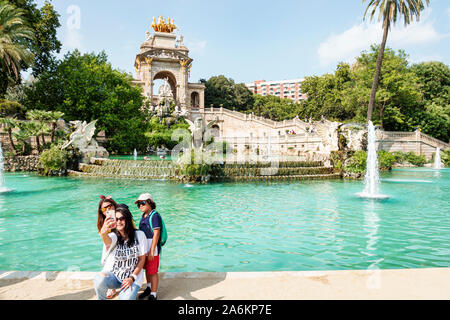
[{"x": 287, "y": 89}]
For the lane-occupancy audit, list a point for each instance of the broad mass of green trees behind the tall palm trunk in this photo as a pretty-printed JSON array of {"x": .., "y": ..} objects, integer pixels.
[{"x": 408, "y": 97}]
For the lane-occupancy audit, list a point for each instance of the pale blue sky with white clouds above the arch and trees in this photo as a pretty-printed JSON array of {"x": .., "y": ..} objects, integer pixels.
[{"x": 249, "y": 40}]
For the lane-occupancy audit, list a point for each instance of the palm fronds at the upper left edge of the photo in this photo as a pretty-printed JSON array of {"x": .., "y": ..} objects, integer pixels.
[{"x": 14, "y": 32}]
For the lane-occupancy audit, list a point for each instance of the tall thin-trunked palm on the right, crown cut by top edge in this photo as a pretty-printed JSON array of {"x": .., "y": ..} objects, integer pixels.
[{"x": 389, "y": 11}]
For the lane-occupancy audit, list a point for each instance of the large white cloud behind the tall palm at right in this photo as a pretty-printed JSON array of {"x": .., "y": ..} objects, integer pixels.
[{"x": 349, "y": 44}]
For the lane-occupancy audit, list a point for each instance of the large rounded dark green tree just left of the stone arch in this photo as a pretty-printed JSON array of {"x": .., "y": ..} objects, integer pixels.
[{"x": 86, "y": 87}]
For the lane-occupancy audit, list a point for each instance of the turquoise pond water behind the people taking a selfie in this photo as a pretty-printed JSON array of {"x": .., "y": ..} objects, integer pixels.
[{"x": 49, "y": 224}]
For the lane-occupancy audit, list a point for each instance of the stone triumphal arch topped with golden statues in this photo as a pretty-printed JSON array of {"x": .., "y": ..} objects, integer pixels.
[{"x": 164, "y": 56}]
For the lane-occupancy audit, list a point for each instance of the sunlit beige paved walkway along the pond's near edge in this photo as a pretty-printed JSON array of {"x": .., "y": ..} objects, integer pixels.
[{"x": 433, "y": 283}]
